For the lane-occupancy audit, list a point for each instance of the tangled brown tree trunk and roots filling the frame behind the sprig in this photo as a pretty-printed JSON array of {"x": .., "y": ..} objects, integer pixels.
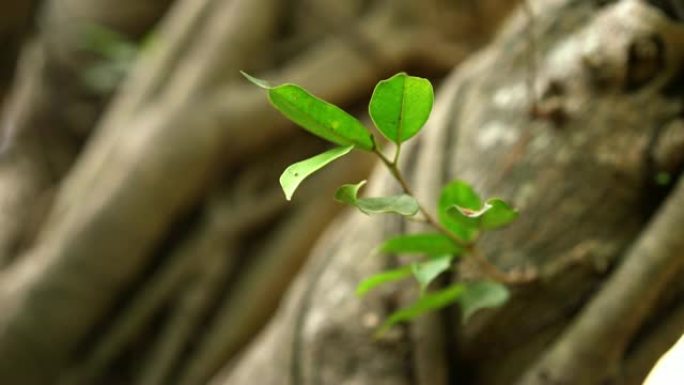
[{"x": 157, "y": 243}]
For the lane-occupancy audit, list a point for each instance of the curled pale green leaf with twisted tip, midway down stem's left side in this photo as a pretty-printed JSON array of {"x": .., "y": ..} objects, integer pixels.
[{"x": 399, "y": 204}]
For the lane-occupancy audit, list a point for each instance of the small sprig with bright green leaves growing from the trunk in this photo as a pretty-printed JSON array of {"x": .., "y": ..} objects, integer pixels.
[{"x": 400, "y": 107}]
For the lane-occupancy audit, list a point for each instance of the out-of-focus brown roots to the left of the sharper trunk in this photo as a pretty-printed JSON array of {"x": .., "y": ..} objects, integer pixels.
[{"x": 144, "y": 238}]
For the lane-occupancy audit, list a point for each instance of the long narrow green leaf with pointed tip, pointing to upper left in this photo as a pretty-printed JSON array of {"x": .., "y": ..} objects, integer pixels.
[{"x": 317, "y": 116}]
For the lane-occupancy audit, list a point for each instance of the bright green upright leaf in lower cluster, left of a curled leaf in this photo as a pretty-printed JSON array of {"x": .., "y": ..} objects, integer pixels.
[{"x": 461, "y": 194}]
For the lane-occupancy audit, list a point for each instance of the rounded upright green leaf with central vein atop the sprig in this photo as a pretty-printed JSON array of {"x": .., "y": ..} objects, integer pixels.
[{"x": 401, "y": 105}]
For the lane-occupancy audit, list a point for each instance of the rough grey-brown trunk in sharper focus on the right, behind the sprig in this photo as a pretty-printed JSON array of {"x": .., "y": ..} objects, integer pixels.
[{"x": 579, "y": 162}]
